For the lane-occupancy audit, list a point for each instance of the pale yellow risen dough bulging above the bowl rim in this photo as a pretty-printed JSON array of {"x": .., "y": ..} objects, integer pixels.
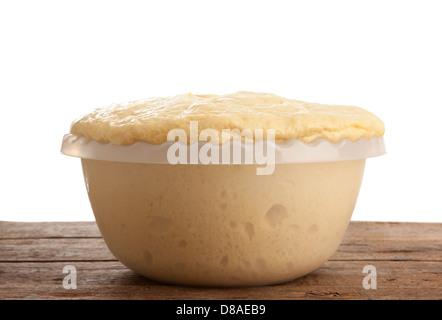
[{"x": 150, "y": 120}]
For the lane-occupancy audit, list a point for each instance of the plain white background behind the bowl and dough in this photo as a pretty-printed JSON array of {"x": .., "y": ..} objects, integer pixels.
[{"x": 60, "y": 59}]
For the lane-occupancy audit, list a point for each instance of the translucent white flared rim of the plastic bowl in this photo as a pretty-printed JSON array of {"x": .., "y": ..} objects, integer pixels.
[{"x": 290, "y": 151}]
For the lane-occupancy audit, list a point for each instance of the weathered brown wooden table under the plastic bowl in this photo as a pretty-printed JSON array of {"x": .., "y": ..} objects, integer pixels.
[{"x": 407, "y": 258}]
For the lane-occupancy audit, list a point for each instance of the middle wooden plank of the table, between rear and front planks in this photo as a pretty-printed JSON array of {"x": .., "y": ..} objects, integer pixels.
[{"x": 78, "y": 249}]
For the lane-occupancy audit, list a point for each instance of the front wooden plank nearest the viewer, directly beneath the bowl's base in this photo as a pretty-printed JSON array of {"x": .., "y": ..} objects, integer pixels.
[{"x": 111, "y": 280}]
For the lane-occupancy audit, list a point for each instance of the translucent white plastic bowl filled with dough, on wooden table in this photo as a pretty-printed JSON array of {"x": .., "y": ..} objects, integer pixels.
[{"x": 223, "y": 225}]
